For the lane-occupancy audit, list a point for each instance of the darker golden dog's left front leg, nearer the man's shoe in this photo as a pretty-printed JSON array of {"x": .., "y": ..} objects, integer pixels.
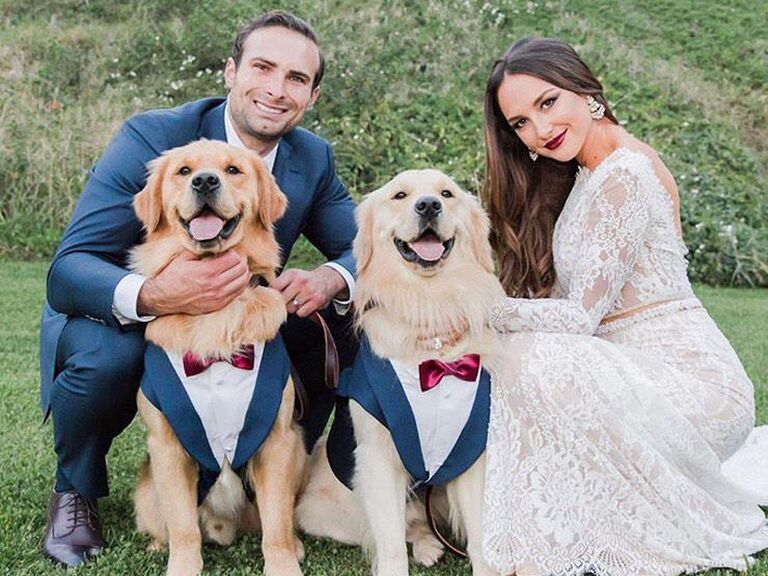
[{"x": 175, "y": 478}]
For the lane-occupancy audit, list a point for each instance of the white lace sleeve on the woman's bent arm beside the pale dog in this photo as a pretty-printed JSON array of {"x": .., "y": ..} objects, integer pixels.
[{"x": 610, "y": 233}]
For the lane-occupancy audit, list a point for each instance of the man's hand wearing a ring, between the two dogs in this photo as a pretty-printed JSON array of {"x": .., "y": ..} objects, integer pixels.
[{"x": 304, "y": 292}]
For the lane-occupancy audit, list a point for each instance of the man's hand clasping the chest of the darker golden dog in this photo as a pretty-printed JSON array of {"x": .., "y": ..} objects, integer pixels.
[{"x": 188, "y": 285}]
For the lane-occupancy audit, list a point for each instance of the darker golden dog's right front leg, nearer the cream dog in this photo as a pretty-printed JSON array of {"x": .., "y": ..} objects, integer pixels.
[{"x": 276, "y": 473}]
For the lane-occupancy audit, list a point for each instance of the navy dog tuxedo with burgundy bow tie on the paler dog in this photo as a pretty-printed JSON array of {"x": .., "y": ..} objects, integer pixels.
[{"x": 439, "y": 429}]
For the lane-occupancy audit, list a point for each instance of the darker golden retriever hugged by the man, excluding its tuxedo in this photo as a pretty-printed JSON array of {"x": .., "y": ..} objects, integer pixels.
[{"x": 205, "y": 198}]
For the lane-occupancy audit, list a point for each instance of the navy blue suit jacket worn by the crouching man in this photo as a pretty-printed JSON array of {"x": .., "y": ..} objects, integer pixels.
[{"x": 91, "y": 259}]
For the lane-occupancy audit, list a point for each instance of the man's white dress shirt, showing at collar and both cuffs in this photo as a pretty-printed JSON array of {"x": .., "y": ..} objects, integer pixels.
[{"x": 126, "y": 296}]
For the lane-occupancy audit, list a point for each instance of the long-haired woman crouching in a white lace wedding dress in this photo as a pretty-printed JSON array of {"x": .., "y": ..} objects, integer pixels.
[{"x": 617, "y": 398}]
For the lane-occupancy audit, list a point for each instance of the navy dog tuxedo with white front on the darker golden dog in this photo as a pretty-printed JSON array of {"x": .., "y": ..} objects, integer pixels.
[{"x": 220, "y": 410}]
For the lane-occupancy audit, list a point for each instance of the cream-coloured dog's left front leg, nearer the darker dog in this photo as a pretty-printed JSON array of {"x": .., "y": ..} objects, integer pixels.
[{"x": 381, "y": 484}]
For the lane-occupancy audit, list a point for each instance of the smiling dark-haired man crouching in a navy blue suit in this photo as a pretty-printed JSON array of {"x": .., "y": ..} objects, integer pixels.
[{"x": 92, "y": 340}]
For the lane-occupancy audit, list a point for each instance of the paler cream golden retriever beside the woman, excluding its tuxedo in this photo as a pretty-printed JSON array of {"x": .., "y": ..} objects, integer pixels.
[{"x": 424, "y": 291}]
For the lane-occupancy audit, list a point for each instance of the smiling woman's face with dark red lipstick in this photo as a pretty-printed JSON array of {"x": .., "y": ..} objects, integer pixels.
[{"x": 550, "y": 121}]
